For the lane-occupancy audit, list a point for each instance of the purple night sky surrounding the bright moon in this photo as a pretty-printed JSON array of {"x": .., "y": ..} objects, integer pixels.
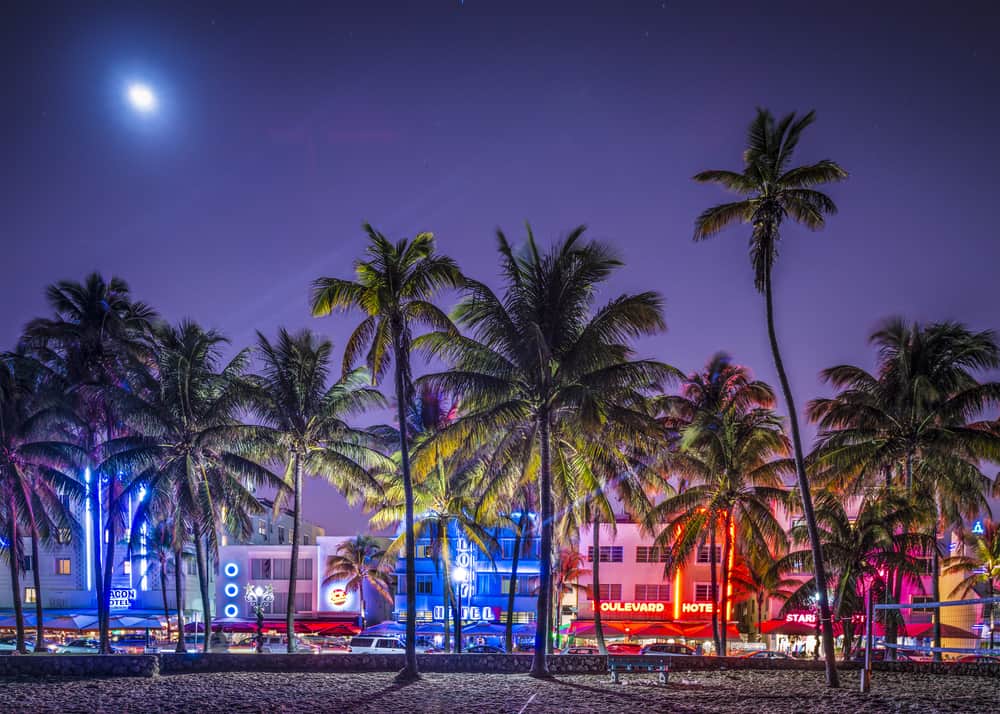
[{"x": 281, "y": 129}]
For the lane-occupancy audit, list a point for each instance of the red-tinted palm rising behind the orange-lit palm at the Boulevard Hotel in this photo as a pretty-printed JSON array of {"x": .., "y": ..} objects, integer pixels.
[{"x": 722, "y": 386}]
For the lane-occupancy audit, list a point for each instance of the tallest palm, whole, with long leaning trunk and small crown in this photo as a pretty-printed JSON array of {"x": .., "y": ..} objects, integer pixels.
[{"x": 771, "y": 189}]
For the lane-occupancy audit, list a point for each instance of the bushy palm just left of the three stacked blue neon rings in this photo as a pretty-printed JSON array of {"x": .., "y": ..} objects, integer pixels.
[{"x": 195, "y": 455}]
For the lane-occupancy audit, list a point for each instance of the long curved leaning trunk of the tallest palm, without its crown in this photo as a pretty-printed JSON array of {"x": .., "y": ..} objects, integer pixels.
[{"x": 819, "y": 574}]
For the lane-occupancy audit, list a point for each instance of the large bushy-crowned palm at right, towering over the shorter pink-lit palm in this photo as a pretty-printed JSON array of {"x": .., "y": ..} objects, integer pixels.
[{"x": 910, "y": 425}]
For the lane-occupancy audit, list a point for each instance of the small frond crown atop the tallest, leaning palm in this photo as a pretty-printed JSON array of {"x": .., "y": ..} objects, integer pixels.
[{"x": 770, "y": 188}]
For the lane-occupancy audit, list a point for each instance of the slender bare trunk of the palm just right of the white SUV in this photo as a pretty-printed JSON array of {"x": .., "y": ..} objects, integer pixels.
[{"x": 401, "y": 360}]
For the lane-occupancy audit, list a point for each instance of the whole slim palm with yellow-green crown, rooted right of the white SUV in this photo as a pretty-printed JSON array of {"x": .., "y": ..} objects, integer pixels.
[{"x": 394, "y": 288}]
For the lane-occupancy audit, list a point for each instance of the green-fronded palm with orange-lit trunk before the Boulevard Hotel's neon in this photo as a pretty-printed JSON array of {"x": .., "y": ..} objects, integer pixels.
[{"x": 736, "y": 462}]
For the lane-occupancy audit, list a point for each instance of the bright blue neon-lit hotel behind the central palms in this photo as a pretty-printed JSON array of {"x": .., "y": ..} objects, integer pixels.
[{"x": 484, "y": 585}]
